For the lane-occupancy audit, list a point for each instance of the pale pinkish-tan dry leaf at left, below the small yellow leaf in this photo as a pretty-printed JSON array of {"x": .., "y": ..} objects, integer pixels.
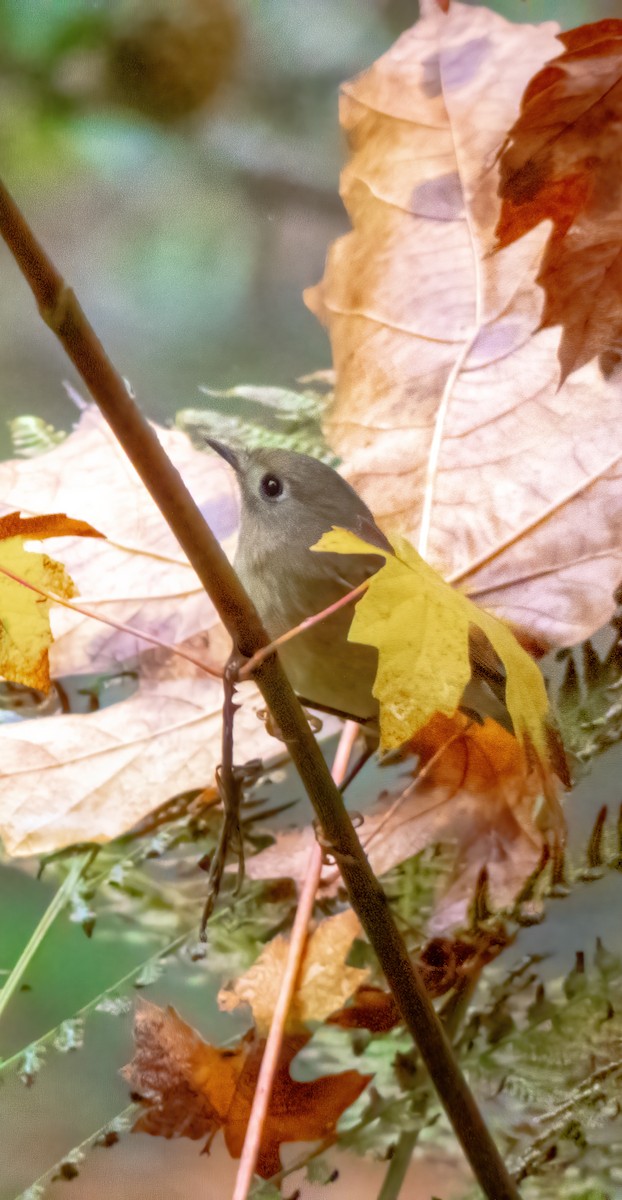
[{"x": 92, "y": 777}]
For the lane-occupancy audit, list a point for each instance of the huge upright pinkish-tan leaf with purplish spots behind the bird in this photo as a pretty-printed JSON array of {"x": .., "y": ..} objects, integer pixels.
[{"x": 448, "y": 409}]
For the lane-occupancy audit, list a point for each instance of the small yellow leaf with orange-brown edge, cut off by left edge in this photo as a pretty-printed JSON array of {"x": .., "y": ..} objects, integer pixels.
[{"x": 26, "y": 635}]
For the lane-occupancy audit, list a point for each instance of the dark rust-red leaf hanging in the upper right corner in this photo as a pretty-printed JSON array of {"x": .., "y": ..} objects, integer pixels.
[{"x": 561, "y": 164}]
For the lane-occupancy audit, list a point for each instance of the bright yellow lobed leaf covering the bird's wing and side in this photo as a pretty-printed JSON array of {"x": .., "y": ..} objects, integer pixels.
[{"x": 420, "y": 626}]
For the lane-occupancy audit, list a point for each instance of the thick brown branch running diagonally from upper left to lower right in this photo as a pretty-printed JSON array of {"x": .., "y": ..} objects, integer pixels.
[{"x": 62, "y": 311}]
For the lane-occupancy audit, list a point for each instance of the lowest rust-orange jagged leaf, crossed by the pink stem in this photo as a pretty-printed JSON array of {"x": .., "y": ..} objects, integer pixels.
[{"x": 193, "y": 1090}]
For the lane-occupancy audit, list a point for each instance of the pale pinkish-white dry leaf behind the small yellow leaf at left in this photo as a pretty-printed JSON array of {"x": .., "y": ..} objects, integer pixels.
[{"x": 140, "y": 577}]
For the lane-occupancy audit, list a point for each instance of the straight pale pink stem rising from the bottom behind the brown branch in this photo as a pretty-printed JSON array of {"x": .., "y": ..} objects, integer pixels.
[{"x": 295, "y": 958}]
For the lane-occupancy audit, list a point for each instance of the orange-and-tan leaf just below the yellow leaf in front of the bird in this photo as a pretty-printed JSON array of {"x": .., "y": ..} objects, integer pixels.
[{"x": 488, "y": 796}]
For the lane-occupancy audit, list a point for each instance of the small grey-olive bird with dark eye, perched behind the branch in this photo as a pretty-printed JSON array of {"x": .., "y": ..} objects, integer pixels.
[{"x": 289, "y": 501}]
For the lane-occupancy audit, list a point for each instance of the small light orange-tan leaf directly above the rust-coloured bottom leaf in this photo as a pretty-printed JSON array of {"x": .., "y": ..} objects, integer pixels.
[{"x": 324, "y": 986}]
